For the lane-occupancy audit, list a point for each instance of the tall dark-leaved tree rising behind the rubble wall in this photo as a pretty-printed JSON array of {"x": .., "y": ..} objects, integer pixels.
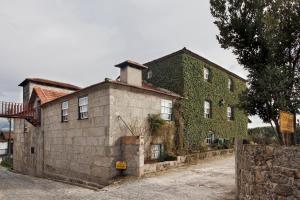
[{"x": 265, "y": 37}]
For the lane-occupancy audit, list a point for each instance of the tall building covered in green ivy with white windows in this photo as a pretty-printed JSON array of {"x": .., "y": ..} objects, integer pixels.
[{"x": 210, "y": 108}]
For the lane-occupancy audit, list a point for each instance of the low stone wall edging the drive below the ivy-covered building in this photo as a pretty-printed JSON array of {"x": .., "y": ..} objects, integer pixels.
[{"x": 181, "y": 160}]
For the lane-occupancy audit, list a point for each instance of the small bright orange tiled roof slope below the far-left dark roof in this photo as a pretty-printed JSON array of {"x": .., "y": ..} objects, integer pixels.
[{"x": 47, "y": 95}]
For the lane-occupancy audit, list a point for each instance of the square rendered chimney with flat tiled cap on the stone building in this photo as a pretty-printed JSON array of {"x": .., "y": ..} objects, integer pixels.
[{"x": 131, "y": 72}]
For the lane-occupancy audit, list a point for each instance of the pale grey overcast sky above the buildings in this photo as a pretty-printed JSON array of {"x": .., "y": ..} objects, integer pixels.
[{"x": 79, "y": 42}]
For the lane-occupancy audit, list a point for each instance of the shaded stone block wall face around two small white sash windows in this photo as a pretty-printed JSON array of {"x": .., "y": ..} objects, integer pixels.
[{"x": 78, "y": 149}]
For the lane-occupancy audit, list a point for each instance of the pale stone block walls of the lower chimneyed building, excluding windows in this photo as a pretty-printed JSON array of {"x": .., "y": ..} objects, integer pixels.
[{"x": 87, "y": 150}]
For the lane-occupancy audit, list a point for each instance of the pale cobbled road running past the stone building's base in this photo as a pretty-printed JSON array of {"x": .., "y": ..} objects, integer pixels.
[{"x": 208, "y": 180}]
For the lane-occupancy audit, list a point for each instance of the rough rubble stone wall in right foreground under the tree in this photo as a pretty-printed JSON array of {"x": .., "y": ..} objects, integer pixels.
[{"x": 267, "y": 172}]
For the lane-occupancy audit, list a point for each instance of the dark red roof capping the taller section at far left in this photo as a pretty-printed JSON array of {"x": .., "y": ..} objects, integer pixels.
[{"x": 50, "y": 83}]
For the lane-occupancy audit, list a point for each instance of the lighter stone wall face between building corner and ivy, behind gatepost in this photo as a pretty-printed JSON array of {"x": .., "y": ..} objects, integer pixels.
[{"x": 133, "y": 106}]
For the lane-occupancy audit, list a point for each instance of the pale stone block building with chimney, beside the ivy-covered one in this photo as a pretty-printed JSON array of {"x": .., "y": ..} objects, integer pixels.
[{"x": 76, "y": 133}]
